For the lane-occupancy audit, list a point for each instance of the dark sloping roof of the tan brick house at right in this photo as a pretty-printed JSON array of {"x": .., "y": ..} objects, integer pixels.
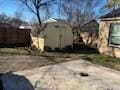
[{"x": 112, "y": 14}]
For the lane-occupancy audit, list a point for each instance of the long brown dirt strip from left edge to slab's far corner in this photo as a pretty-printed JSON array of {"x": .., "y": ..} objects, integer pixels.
[{"x": 11, "y": 63}]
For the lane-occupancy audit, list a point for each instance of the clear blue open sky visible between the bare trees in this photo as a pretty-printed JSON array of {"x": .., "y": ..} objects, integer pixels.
[{"x": 9, "y": 7}]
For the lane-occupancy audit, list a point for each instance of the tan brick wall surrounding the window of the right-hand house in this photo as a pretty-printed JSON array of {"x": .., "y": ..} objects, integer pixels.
[{"x": 103, "y": 44}]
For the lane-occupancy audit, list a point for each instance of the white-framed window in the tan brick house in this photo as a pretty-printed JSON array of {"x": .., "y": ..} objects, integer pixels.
[{"x": 114, "y": 36}]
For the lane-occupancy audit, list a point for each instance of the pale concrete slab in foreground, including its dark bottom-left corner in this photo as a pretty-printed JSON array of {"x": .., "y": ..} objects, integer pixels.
[{"x": 65, "y": 76}]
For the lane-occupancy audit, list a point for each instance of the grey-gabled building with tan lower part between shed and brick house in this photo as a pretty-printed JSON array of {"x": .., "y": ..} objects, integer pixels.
[{"x": 89, "y": 34}]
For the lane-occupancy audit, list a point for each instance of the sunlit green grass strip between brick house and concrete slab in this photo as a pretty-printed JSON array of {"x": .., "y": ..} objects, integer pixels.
[{"x": 107, "y": 61}]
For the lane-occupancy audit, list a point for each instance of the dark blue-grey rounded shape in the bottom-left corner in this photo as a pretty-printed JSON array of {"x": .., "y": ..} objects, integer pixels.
[{"x": 11, "y": 81}]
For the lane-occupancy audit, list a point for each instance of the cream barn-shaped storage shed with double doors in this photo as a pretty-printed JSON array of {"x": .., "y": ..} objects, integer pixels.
[{"x": 58, "y": 35}]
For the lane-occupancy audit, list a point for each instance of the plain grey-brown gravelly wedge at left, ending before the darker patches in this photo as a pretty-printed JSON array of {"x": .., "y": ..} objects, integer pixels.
[{"x": 21, "y": 62}]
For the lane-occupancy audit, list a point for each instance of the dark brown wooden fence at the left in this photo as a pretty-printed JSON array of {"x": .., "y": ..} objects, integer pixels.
[{"x": 11, "y": 36}]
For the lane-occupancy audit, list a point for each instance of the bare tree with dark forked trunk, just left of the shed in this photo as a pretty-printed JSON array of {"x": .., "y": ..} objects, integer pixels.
[{"x": 38, "y": 8}]
